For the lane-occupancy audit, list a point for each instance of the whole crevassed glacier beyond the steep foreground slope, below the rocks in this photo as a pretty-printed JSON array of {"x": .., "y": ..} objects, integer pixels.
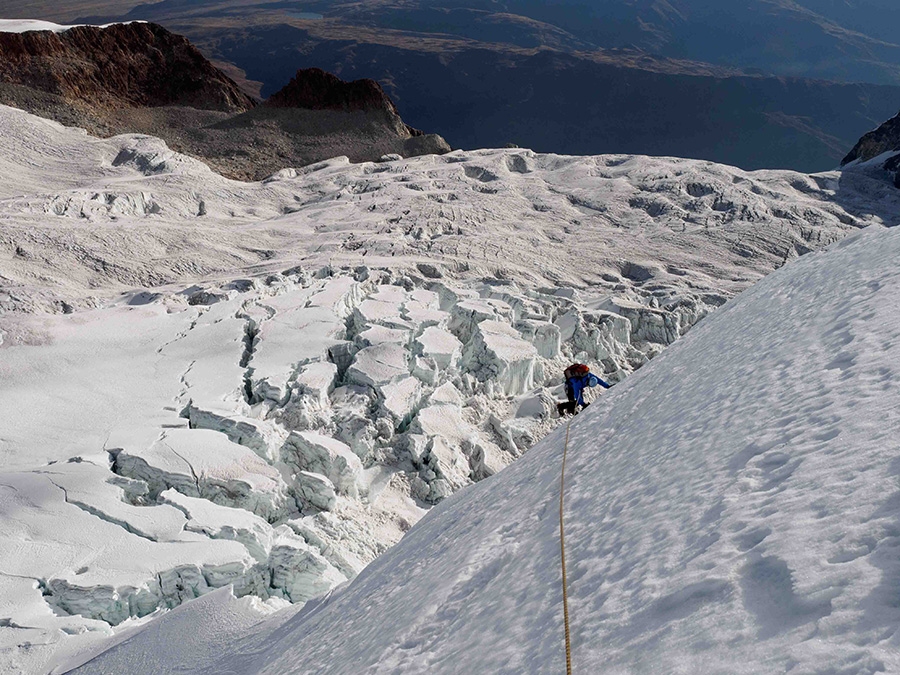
[{"x": 317, "y": 359}]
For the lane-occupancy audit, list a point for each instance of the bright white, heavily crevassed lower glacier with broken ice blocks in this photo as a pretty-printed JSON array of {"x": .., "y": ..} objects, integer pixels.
[{"x": 281, "y": 433}]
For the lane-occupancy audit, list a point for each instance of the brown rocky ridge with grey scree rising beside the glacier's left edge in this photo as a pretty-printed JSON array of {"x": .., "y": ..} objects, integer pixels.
[{"x": 139, "y": 77}]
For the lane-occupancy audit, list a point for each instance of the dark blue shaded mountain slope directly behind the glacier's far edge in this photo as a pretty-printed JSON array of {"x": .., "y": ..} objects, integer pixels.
[{"x": 570, "y": 102}]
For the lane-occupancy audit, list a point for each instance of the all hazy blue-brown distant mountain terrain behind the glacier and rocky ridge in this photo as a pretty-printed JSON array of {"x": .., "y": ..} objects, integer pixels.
[{"x": 761, "y": 84}]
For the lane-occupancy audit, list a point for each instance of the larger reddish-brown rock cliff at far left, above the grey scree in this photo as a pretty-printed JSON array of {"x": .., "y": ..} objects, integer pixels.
[{"x": 136, "y": 64}]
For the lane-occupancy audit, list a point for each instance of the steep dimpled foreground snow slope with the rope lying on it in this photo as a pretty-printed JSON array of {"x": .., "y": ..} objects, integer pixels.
[{"x": 732, "y": 508}]
